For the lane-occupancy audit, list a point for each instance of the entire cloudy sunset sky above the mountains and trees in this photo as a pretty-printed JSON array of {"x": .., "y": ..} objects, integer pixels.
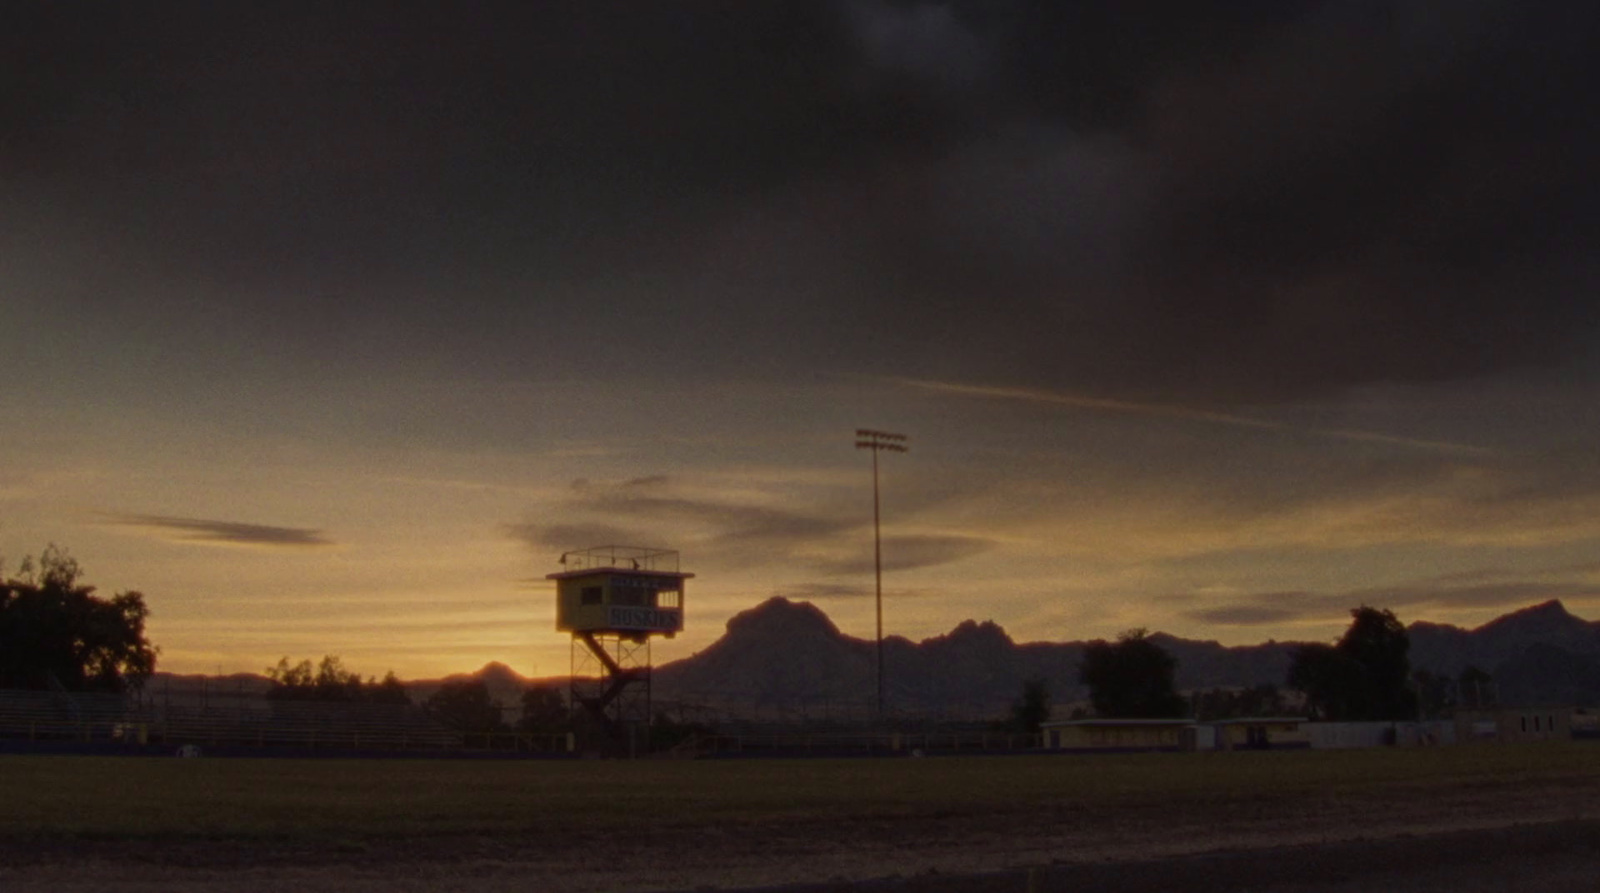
[{"x": 330, "y": 326}]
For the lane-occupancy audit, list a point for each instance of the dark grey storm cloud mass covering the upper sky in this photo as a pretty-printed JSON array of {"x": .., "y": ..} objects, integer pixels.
[{"x": 1263, "y": 199}]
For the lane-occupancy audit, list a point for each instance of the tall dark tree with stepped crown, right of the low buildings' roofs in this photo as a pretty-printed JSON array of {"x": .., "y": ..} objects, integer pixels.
[{"x": 1364, "y": 678}]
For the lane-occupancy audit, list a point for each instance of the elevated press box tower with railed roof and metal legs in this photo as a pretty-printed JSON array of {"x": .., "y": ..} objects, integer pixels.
[{"x": 614, "y": 601}]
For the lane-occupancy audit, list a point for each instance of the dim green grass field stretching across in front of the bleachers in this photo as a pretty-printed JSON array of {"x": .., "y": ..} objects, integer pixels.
[{"x": 207, "y": 799}]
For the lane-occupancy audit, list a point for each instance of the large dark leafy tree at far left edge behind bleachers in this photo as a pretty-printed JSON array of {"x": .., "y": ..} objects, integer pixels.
[{"x": 55, "y": 631}]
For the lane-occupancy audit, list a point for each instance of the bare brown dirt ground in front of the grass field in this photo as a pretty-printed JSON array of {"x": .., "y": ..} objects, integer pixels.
[{"x": 1538, "y": 836}]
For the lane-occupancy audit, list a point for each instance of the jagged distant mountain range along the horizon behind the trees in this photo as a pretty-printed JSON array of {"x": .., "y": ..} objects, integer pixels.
[{"x": 786, "y": 660}]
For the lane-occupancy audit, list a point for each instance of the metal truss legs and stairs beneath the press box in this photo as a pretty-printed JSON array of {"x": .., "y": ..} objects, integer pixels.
[{"x": 610, "y": 679}]
